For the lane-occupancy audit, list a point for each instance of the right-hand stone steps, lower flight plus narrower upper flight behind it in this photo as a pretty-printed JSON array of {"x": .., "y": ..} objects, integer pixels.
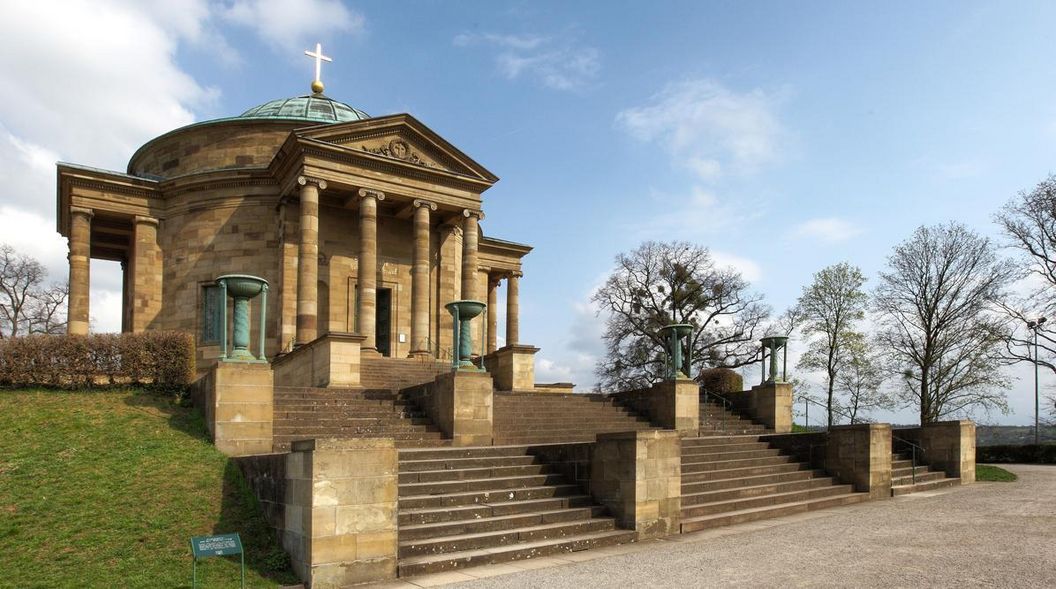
[{"x": 730, "y": 476}]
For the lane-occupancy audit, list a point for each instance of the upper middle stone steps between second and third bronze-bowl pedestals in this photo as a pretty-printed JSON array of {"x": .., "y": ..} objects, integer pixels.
[{"x": 531, "y": 419}]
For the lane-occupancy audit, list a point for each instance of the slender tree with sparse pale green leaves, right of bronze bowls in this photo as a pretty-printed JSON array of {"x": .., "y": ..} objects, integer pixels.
[{"x": 829, "y": 309}]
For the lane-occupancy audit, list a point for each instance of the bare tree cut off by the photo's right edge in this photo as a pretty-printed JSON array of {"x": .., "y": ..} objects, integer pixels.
[{"x": 1029, "y": 222}]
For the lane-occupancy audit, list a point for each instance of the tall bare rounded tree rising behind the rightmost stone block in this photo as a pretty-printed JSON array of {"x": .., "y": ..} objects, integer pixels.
[{"x": 934, "y": 305}]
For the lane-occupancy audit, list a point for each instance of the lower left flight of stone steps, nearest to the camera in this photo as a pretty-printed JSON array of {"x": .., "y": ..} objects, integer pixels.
[{"x": 478, "y": 506}]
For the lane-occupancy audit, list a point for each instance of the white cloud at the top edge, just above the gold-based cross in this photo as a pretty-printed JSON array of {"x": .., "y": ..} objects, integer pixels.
[{"x": 292, "y": 25}]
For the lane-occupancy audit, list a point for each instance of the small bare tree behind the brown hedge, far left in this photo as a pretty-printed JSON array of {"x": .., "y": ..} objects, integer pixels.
[{"x": 26, "y": 306}]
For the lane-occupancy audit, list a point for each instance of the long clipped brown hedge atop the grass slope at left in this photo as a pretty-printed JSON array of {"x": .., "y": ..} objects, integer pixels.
[{"x": 163, "y": 359}]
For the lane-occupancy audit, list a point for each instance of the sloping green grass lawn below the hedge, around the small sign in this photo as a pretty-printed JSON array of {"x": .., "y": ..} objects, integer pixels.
[{"x": 105, "y": 489}]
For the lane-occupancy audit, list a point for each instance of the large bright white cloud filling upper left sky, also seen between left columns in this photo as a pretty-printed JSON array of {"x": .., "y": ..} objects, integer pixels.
[{"x": 87, "y": 82}]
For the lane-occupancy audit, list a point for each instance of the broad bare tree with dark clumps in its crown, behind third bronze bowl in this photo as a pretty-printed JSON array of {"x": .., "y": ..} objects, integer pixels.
[{"x": 664, "y": 283}]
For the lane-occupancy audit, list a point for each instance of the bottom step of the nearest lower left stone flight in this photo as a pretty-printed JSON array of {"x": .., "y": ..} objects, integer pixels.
[{"x": 452, "y": 561}]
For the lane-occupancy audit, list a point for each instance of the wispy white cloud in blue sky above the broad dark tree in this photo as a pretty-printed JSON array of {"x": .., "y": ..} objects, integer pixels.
[{"x": 709, "y": 128}]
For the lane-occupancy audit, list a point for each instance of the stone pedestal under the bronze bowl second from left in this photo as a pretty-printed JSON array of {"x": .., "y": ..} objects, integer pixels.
[{"x": 461, "y": 405}]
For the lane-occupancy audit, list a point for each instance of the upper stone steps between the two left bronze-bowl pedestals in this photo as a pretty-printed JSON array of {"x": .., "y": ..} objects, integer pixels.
[{"x": 350, "y": 413}]
